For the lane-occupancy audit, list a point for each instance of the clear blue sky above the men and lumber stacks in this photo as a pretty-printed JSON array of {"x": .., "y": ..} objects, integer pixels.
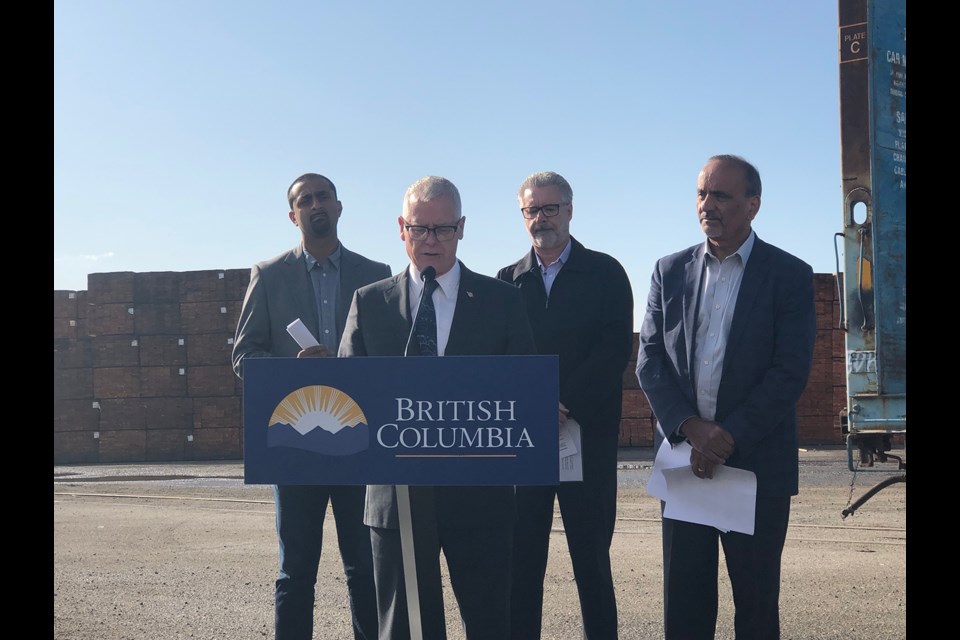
[{"x": 178, "y": 125}]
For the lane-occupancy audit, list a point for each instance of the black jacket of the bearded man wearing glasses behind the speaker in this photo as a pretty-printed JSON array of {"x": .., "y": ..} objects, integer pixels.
[{"x": 588, "y": 322}]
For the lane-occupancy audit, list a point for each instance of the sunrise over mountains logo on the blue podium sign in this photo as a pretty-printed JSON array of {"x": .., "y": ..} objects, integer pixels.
[{"x": 319, "y": 419}]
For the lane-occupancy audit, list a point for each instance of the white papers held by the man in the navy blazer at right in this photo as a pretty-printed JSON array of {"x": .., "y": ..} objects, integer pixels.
[{"x": 727, "y": 501}]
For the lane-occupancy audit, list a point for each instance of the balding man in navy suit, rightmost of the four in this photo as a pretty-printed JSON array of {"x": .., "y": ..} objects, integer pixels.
[{"x": 725, "y": 351}]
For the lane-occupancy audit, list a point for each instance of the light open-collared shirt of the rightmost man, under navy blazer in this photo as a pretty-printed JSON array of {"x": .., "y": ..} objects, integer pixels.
[{"x": 718, "y": 298}]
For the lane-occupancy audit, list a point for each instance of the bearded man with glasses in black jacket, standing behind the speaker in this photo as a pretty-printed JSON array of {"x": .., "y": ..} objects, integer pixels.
[{"x": 580, "y": 306}]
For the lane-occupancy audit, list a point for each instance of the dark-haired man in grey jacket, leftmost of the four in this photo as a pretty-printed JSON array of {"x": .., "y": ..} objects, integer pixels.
[{"x": 314, "y": 282}]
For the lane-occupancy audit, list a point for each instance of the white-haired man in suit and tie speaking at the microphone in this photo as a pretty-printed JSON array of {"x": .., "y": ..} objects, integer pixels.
[{"x": 475, "y": 315}]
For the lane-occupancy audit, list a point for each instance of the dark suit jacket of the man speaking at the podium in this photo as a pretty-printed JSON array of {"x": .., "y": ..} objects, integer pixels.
[{"x": 488, "y": 320}]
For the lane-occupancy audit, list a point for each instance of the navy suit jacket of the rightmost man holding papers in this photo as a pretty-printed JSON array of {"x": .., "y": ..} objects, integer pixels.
[{"x": 765, "y": 366}]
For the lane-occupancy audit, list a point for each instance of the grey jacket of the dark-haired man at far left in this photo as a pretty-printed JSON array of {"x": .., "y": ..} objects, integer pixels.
[{"x": 280, "y": 291}]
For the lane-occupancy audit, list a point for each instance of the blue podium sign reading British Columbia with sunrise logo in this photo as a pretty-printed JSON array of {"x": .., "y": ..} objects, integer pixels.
[{"x": 453, "y": 420}]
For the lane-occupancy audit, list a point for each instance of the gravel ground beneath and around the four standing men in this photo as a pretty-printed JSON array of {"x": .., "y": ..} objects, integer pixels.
[{"x": 186, "y": 550}]
